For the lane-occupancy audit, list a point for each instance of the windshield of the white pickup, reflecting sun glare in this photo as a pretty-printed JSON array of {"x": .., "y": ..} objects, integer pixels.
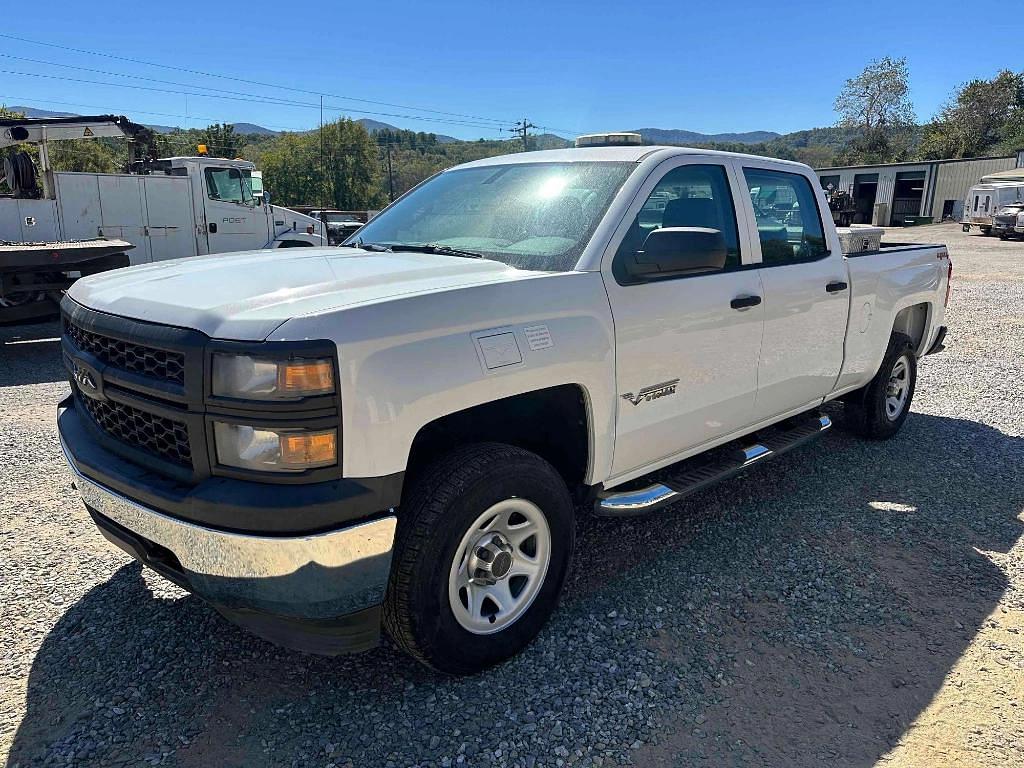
[{"x": 531, "y": 216}]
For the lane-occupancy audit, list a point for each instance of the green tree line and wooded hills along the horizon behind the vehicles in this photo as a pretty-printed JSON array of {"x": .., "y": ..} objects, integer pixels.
[{"x": 349, "y": 167}]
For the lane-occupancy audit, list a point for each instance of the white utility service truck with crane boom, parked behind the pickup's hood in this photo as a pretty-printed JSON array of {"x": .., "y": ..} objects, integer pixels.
[{"x": 56, "y": 227}]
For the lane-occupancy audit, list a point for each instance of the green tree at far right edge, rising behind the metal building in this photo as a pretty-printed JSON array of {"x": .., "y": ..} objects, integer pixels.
[{"x": 983, "y": 116}]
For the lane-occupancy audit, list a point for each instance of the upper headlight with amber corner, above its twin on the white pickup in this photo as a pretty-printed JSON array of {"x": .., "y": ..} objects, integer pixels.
[{"x": 267, "y": 379}]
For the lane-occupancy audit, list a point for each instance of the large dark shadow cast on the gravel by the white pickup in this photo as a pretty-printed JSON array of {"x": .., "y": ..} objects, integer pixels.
[{"x": 803, "y": 615}]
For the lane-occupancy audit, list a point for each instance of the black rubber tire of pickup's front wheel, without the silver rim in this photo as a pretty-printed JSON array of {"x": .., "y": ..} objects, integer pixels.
[{"x": 436, "y": 516}]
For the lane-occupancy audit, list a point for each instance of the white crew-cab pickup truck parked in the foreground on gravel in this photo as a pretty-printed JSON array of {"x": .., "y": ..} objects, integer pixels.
[{"x": 401, "y": 432}]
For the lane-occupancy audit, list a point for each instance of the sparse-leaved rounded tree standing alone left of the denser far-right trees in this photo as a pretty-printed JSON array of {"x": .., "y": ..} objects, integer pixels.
[{"x": 877, "y": 105}]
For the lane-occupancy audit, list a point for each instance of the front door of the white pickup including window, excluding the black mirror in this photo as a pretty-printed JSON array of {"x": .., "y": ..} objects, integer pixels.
[{"x": 687, "y": 359}]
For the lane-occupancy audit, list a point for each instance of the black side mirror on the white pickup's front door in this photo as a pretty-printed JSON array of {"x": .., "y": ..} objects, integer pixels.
[{"x": 677, "y": 251}]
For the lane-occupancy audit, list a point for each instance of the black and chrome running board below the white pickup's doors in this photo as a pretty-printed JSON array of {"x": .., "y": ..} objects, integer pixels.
[{"x": 685, "y": 479}]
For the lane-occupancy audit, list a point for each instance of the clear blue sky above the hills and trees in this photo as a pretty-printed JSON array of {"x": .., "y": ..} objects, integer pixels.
[{"x": 572, "y": 67}]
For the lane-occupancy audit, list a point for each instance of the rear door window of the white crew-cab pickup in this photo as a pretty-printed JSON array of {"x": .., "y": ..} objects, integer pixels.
[{"x": 787, "y": 212}]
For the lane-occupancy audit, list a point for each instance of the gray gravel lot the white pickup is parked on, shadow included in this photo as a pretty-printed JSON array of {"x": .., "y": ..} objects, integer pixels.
[{"x": 855, "y": 604}]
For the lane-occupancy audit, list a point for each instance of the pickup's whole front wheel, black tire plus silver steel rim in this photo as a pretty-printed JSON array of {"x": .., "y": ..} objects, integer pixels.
[{"x": 484, "y": 546}]
